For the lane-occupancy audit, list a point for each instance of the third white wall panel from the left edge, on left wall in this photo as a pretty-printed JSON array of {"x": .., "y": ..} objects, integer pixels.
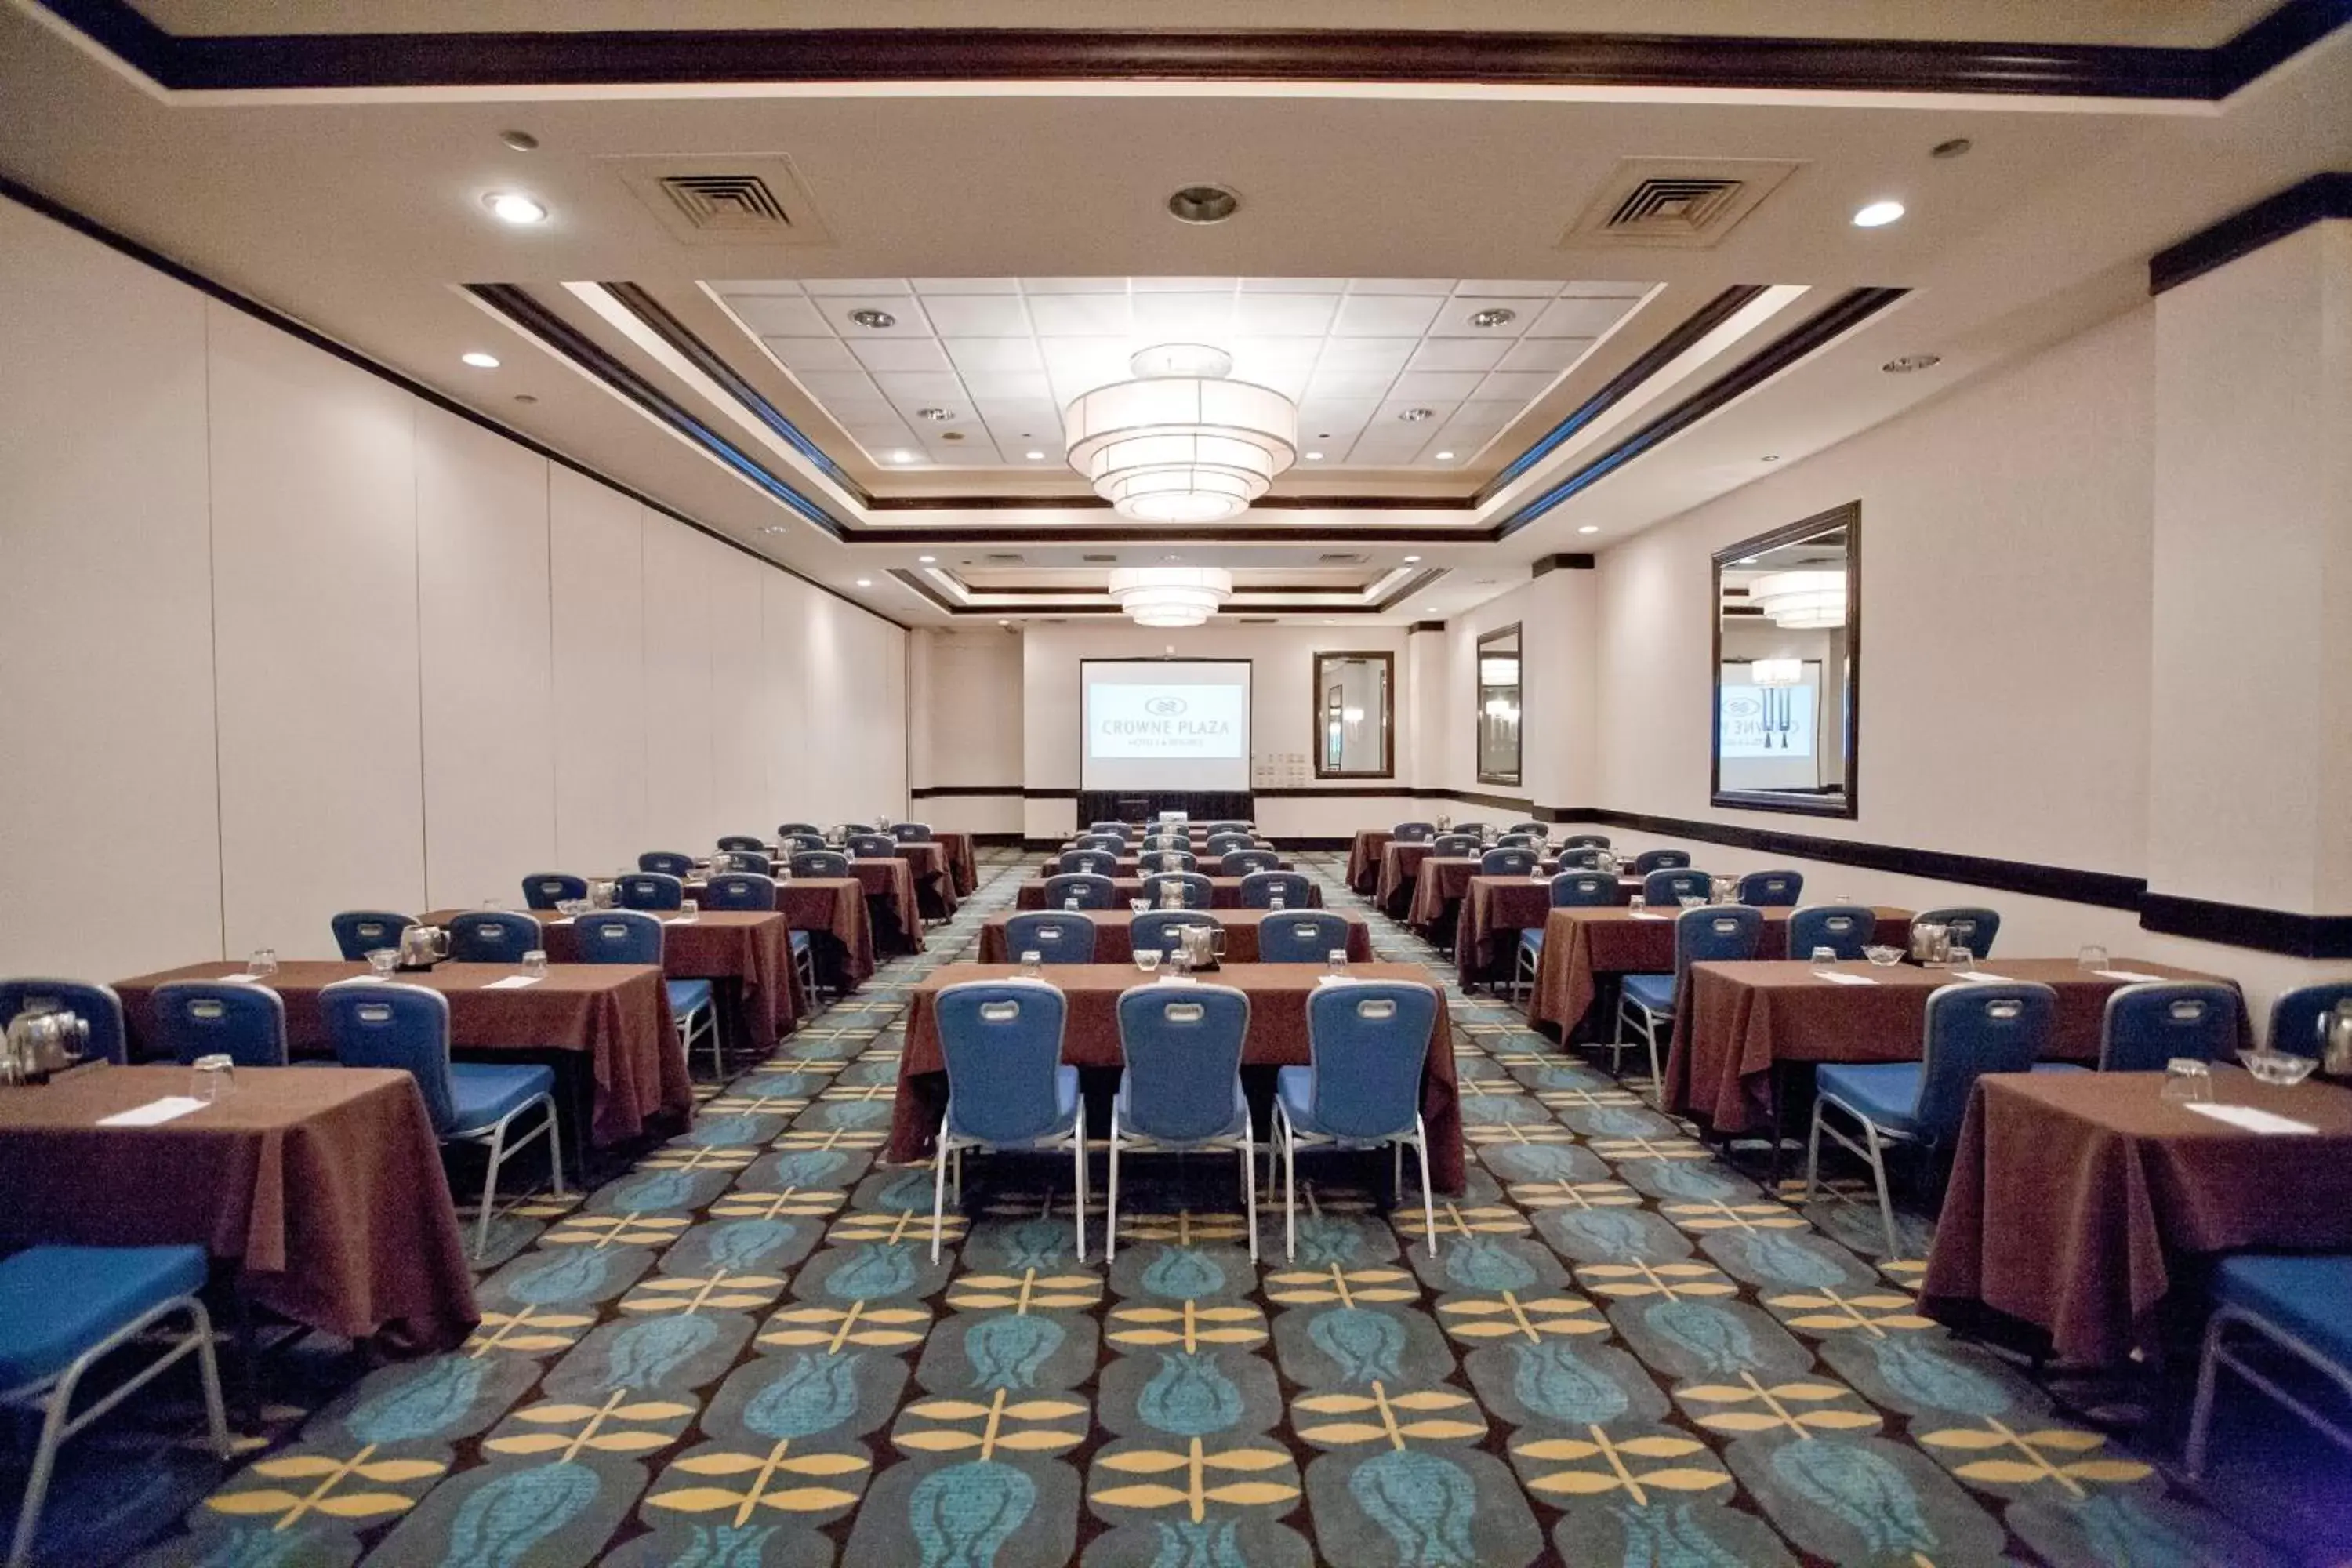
[{"x": 488, "y": 662}]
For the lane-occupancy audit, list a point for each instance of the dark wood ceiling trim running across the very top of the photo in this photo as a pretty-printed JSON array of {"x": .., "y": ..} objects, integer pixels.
[{"x": 1055, "y": 55}]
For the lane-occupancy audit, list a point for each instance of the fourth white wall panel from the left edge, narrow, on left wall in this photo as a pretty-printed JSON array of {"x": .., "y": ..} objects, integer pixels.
[{"x": 596, "y": 547}]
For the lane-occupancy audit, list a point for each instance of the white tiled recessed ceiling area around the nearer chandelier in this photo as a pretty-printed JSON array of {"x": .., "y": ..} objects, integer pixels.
[{"x": 975, "y": 373}]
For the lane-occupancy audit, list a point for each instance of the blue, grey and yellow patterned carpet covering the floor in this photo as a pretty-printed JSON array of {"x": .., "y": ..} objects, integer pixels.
[{"x": 737, "y": 1355}]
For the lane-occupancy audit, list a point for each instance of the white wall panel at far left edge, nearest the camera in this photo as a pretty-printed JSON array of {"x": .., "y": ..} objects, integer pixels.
[{"x": 105, "y": 612}]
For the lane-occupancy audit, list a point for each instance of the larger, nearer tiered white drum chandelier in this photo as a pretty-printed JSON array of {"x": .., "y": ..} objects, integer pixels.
[{"x": 1182, "y": 443}]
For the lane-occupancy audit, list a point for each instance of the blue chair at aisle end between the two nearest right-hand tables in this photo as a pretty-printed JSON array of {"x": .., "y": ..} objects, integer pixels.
[{"x": 1972, "y": 1028}]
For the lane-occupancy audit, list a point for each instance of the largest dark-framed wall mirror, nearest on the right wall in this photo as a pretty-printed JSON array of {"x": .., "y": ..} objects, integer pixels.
[{"x": 1789, "y": 645}]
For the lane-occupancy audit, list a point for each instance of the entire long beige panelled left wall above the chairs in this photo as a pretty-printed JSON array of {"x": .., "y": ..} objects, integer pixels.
[{"x": 279, "y": 641}]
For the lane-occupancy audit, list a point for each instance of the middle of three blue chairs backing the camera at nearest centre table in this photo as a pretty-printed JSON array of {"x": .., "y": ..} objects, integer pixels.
[{"x": 1182, "y": 1085}]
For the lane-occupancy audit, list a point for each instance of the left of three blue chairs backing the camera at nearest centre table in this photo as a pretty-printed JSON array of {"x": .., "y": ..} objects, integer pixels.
[{"x": 1008, "y": 1087}]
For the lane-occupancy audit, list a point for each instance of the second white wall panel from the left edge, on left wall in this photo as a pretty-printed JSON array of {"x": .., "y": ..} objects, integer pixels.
[{"x": 314, "y": 525}]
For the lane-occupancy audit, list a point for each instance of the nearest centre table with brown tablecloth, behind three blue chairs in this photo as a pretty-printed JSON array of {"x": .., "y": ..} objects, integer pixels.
[{"x": 1278, "y": 1038}]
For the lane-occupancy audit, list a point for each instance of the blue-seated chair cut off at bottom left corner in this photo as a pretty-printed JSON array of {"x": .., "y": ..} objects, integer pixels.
[{"x": 65, "y": 1311}]
